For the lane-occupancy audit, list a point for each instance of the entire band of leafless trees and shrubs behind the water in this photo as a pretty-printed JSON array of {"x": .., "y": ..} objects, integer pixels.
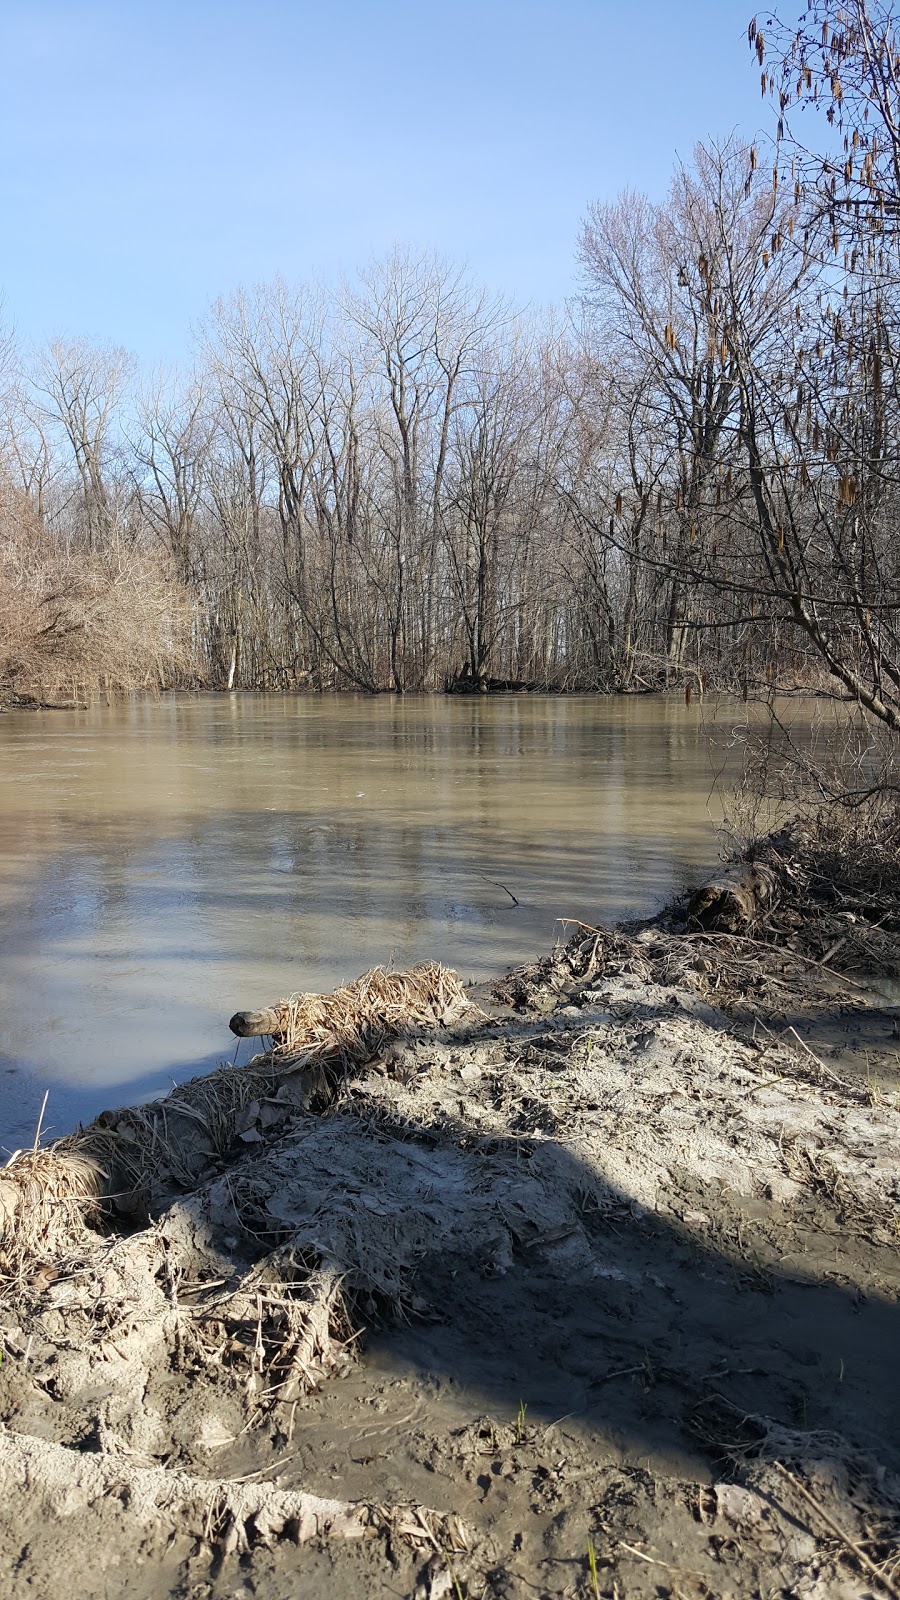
[{"x": 691, "y": 478}]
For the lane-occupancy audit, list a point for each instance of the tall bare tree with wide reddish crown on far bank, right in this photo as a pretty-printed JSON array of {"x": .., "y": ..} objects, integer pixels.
[{"x": 665, "y": 287}]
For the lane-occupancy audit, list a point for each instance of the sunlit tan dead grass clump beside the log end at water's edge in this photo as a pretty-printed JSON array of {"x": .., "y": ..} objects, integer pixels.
[{"x": 356, "y": 1022}]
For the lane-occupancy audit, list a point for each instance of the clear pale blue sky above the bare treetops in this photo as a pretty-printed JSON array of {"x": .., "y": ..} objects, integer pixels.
[{"x": 158, "y": 154}]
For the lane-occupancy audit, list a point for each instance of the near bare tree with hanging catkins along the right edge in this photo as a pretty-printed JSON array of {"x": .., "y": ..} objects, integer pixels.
[{"x": 821, "y": 418}]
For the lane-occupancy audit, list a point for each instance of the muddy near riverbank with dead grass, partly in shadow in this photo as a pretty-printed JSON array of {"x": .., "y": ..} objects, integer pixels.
[{"x": 584, "y": 1282}]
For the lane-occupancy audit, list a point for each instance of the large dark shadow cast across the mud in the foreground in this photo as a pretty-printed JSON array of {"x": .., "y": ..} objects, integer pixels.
[{"x": 523, "y": 1279}]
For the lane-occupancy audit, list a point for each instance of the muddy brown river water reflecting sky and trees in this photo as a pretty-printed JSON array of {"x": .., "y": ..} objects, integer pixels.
[{"x": 164, "y": 865}]
